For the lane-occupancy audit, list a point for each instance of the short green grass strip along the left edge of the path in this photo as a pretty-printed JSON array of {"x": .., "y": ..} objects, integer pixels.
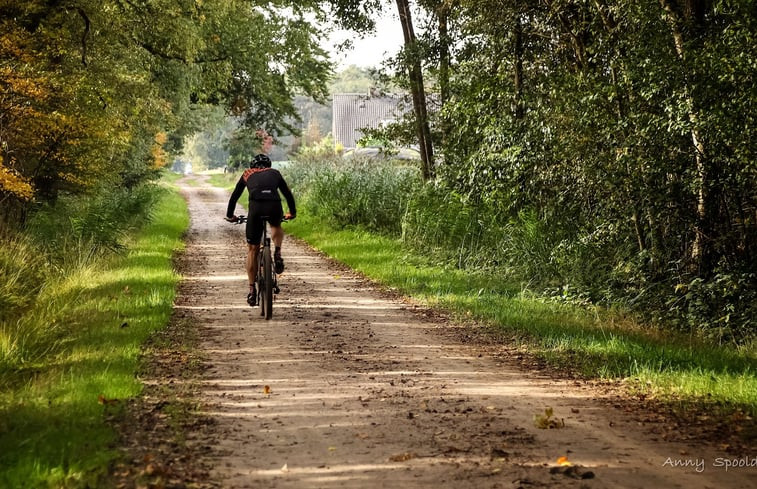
[{"x": 54, "y": 412}]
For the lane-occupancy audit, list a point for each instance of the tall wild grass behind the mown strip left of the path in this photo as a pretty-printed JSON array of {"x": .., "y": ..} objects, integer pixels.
[{"x": 58, "y": 242}]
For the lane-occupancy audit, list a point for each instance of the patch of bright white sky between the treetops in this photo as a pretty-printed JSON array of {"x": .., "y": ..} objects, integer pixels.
[{"x": 371, "y": 50}]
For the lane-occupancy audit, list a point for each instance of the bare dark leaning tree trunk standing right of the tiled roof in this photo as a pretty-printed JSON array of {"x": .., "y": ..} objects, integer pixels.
[{"x": 418, "y": 91}]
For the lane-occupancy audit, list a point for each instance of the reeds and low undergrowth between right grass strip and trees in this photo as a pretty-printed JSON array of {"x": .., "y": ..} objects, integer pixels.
[{"x": 569, "y": 263}]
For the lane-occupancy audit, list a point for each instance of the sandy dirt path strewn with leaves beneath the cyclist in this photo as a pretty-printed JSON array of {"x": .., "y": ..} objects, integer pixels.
[{"x": 366, "y": 391}]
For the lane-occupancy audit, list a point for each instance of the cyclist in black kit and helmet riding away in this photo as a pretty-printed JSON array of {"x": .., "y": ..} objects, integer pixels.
[{"x": 263, "y": 184}]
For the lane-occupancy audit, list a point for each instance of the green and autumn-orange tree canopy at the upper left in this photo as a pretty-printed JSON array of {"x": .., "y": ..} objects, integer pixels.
[{"x": 104, "y": 91}]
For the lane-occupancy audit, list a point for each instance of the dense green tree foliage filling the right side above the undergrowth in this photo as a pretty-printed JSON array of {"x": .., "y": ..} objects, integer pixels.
[{"x": 613, "y": 144}]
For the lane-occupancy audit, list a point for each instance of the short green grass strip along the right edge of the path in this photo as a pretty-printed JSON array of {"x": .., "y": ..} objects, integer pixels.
[{"x": 595, "y": 344}]
